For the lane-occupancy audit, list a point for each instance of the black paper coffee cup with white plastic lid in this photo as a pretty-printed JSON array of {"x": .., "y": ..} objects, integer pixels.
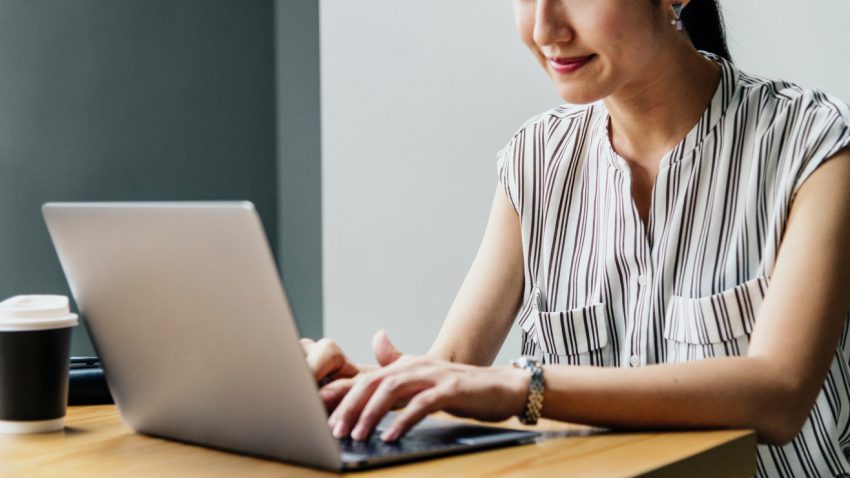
[{"x": 35, "y": 341}]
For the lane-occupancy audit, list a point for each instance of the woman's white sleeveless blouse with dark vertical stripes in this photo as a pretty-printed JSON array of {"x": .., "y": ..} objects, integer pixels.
[{"x": 604, "y": 289}]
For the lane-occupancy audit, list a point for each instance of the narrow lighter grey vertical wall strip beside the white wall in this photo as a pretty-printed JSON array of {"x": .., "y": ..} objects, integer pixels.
[{"x": 300, "y": 156}]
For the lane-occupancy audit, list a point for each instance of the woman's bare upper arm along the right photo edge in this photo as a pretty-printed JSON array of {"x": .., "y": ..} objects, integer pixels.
[{"x": 807, "y": 304}]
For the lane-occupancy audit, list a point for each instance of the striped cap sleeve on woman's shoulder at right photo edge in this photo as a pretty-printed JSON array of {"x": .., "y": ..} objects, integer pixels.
[{"x": 825, "y": 131}]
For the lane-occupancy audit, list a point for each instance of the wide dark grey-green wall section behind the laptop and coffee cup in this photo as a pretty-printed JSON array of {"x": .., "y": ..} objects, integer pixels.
[{"x": 129, "y": 100}]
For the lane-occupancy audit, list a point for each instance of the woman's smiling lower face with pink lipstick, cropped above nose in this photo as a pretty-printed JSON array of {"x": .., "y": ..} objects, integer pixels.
[{"x": 594, "y": 48}]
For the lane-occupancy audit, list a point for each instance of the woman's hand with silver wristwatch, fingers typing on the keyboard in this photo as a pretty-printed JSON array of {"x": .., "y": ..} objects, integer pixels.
[{"x": 425, "y": 385}]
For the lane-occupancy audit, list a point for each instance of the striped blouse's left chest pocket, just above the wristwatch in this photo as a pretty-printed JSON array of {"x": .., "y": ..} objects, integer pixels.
[{"x": 576, "y": 337}]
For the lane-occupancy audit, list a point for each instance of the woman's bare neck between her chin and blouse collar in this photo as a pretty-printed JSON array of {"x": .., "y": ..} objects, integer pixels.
[{"x": 652, "y": 114}]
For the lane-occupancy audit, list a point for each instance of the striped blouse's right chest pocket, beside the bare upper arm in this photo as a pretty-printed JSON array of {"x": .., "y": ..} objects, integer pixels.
[{"x": 715, "y": 326}]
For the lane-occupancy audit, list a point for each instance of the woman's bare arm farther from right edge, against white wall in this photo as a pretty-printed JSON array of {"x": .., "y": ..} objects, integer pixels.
[{"x": 486, "y": 304}]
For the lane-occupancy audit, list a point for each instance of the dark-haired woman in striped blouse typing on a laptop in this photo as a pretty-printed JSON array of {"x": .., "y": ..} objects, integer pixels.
[{"x": 679, "y": 224}]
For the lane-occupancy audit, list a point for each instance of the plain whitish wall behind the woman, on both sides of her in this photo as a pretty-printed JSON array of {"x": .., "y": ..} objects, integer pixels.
[{"x": 417, "y": 96}]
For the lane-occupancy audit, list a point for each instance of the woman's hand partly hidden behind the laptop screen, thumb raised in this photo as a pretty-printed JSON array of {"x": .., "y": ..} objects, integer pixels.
[{"x": 334, "y": 372}]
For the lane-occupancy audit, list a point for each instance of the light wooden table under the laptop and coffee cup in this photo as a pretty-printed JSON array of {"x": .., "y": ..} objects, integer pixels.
[{"x": 96, "y": 443}]
